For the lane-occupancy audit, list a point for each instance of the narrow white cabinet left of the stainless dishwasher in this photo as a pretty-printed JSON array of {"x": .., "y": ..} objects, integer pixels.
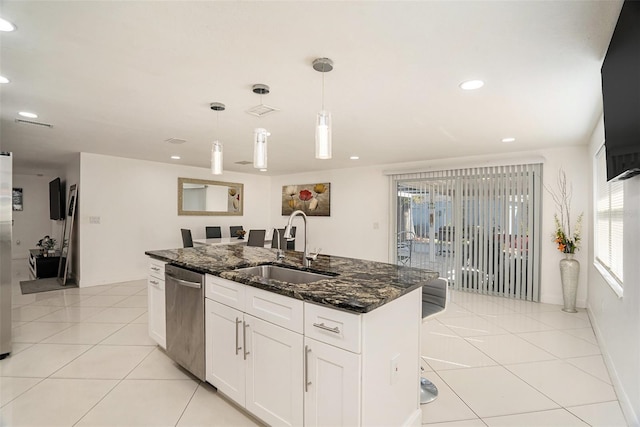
[{"x": 156, "y": 302}]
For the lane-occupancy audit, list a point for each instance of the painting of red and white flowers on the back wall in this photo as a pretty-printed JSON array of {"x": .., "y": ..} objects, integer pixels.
[{"x": 312, "y": 199}]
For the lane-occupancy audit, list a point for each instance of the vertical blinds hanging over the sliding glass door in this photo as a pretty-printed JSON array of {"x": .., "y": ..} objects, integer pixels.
[{"x": 478, "y": 227}]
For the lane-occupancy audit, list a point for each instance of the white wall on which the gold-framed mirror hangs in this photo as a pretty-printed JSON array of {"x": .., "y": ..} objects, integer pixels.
[{"x": 136, "y": 203}]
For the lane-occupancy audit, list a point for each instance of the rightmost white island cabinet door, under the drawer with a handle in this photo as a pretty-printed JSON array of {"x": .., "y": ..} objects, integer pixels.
[{"x": 332, "y": 396}]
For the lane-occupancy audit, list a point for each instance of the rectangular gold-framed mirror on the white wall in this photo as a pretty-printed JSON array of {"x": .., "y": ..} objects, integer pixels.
[{"x": 204, "y": 197}]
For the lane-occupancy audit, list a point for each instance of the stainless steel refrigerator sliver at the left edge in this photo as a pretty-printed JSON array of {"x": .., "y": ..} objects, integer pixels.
[{"x": 6, "y": 193}]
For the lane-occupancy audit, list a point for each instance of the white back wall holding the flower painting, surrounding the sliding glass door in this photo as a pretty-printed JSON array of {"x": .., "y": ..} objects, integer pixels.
[{"x": 360, "y": 198}]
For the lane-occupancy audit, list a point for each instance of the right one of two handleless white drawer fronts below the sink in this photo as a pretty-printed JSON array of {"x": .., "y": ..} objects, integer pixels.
[{"x": 277, "y": 309}]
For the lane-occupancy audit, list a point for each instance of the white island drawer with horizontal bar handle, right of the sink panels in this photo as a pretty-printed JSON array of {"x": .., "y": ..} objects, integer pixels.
[{"x": 334, "y": 327}]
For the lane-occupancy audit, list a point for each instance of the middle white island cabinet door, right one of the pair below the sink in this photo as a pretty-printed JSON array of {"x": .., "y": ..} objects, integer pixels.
[{"x": 274, "y": 373}]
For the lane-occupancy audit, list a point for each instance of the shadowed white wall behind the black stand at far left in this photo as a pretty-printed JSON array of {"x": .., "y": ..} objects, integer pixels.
[{"x": 33, "y": 223}]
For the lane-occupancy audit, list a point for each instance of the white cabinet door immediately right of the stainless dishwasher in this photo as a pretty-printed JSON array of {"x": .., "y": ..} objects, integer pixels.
[{"x": 224, "y": 350}]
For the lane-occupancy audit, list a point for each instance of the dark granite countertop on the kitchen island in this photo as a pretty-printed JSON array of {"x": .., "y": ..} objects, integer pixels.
[{"x": 358, "y": 286}]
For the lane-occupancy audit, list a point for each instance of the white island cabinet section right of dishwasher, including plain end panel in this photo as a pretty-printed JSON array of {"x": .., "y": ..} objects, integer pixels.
[{"x": 294, "y": 363}]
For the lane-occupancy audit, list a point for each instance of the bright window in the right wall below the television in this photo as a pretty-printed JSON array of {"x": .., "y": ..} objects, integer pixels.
[{"x": 609, "y": 226}]
